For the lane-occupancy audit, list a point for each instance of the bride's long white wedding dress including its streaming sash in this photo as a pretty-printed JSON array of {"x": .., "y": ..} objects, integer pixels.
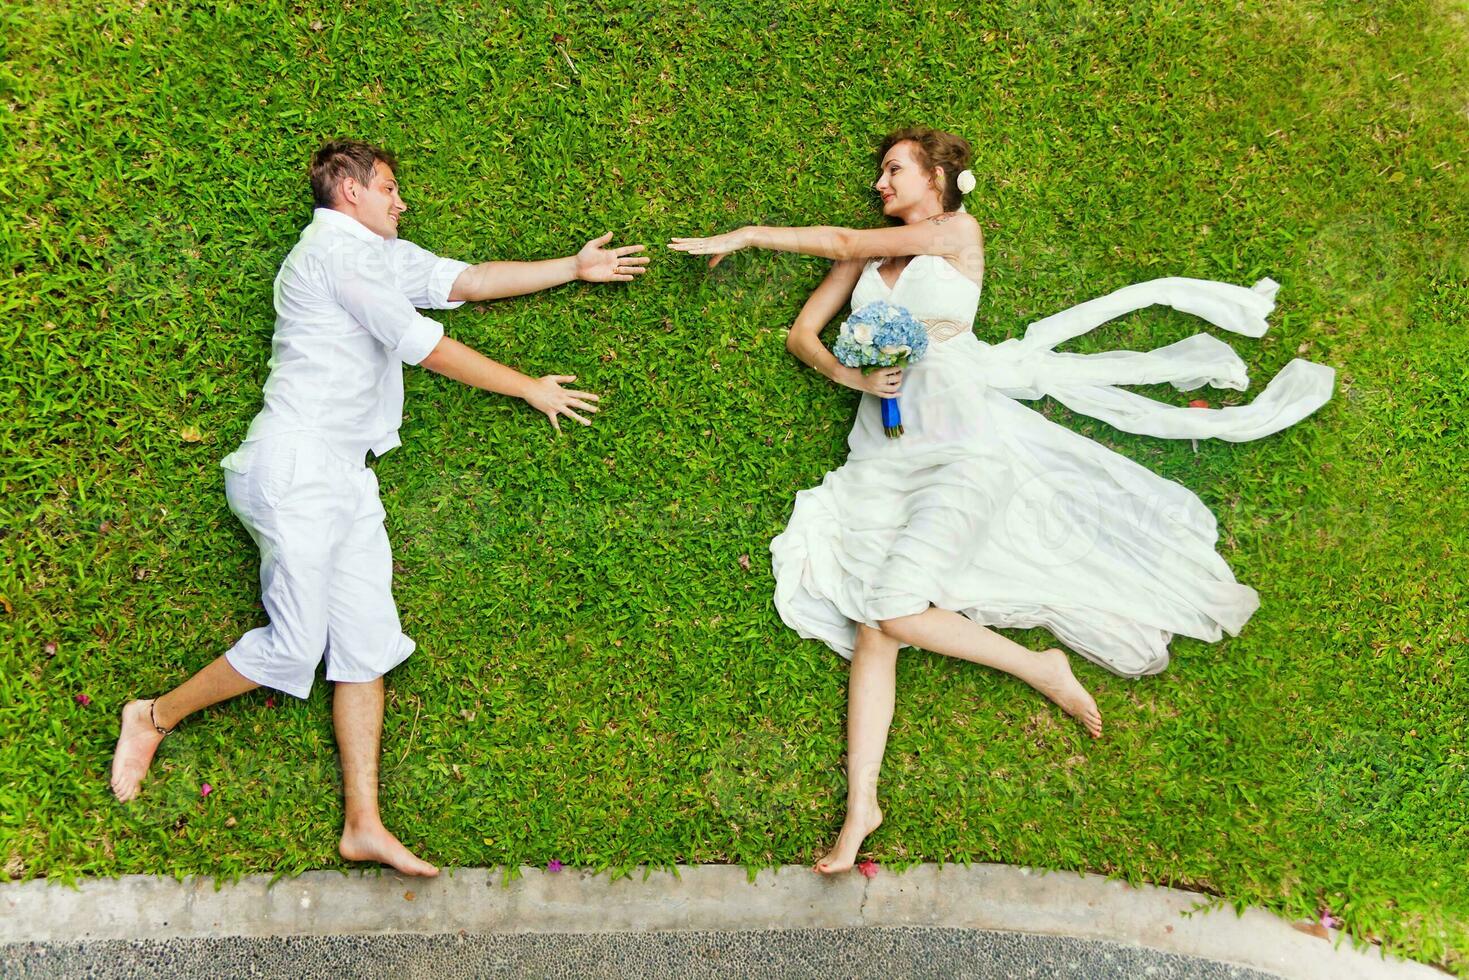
[{"x": 989, "y": 509}]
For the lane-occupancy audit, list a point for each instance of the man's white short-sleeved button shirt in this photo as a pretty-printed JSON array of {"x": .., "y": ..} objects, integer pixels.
[{"x": 347, "y": 320}]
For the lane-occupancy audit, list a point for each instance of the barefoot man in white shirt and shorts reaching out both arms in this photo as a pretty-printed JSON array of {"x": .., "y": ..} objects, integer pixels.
[{"x": 346, "y": 320}]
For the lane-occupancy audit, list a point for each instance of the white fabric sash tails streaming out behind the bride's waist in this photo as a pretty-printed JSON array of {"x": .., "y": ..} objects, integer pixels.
[{"x": 1028, "y": 368}]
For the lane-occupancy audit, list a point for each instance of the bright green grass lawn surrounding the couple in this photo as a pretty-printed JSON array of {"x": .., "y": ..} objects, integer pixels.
[{"x": 600, "y": 677}]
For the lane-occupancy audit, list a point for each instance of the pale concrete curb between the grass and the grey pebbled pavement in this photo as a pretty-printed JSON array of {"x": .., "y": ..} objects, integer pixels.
[{"x": 709, "y": 898}]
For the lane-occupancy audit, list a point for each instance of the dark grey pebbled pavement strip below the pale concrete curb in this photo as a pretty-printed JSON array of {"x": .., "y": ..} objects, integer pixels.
[{"x": 795, "y": 953}]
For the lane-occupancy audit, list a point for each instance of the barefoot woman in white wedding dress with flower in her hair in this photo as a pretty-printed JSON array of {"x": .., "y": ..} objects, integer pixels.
[{"x": 983, "y": 514}]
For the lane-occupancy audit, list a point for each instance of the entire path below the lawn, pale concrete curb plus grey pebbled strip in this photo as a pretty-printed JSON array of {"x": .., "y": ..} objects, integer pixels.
[{"x": 932, "y": 920}]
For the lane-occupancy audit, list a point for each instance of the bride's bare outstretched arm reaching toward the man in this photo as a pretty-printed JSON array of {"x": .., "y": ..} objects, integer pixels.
[{"x": 951, "y": 234}]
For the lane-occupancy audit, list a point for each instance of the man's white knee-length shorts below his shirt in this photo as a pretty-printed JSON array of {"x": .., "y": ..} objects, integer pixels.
[{"x": 325, "y": 566}]
